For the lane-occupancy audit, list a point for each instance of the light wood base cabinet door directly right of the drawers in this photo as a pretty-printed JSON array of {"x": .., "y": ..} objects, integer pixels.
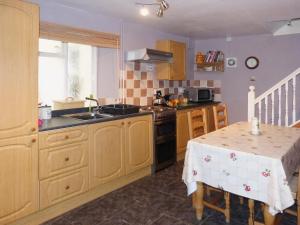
[{"x": 106, "y": 151}]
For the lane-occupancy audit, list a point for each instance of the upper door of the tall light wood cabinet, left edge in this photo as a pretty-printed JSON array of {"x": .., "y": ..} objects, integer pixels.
[{"x": 18, "y": 68}]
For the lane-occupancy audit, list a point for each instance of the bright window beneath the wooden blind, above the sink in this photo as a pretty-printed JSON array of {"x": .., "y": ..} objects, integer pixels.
[{"x": 66, "y": 70}]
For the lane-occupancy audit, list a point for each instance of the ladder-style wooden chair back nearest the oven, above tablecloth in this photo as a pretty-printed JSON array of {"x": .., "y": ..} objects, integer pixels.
[{"x": 197, "y": 120}]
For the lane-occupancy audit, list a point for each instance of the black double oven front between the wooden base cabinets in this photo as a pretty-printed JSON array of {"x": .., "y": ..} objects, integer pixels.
[{"x": 165, "y": 142}]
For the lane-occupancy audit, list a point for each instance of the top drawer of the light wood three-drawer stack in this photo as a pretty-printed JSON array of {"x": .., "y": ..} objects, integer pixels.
[{"x": 62, "y": 136}]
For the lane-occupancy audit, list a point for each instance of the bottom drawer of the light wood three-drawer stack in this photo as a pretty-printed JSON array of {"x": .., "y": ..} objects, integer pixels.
[{"x": 62, "y": 187}]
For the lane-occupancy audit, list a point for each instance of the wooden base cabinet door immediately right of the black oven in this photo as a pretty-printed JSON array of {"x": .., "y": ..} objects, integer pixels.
[{"x": 182, "y": 131}]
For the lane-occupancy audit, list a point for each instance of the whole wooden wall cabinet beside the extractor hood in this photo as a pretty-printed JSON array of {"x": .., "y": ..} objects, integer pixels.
[{"x": 177, "y": 69}]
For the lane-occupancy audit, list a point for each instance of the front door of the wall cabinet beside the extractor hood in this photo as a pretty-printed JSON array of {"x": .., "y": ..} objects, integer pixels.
[{"x": 178, "y": 66}]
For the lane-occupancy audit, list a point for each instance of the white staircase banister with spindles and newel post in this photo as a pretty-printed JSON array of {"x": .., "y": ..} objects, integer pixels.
[{"x": 280, "y": 105}]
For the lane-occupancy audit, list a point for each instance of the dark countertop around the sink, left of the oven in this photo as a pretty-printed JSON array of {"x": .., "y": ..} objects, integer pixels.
[{"x": 64, "y": 122}]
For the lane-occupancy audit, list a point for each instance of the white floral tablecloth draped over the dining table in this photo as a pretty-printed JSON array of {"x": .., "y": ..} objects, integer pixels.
[{"x": 256, "y": 167}]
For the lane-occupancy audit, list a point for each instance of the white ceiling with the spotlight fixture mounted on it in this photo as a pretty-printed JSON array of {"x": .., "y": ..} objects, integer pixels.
[{"x": 200, "y": 19}]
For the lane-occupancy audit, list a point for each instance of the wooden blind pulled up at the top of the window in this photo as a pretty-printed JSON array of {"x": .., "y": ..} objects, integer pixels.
[{"x": 78, "y": 35}]
